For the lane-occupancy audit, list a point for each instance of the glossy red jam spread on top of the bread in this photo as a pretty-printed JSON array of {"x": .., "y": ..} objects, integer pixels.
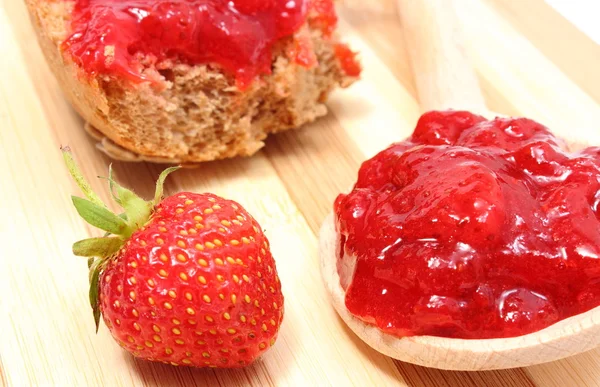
[{"x": 123, "y": 37}]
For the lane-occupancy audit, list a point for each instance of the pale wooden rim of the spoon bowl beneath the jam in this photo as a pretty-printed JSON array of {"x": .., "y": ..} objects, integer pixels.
[{"x": 568, "y": 337}]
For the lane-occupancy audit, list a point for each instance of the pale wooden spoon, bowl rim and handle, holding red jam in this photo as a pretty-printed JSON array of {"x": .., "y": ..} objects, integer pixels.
[{"x": 445, "y": 79}]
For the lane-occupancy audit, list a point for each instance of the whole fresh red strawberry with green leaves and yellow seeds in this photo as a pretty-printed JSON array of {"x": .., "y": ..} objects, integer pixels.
[{"x": 188, "y": 280}]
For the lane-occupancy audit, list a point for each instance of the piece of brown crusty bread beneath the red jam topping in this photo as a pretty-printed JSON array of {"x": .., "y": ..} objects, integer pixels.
[{"x": 197, "y": 113}]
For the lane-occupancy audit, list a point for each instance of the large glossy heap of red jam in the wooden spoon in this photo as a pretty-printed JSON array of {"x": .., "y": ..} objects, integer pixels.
[{"x": 472, "y": 229}]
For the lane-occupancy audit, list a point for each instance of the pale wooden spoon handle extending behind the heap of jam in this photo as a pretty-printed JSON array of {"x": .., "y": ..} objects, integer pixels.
[{"x": 444, "y": 76}]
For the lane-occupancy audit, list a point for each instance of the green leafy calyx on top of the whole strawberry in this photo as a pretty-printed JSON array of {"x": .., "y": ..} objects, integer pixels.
[{"x": 118, "y": 227}]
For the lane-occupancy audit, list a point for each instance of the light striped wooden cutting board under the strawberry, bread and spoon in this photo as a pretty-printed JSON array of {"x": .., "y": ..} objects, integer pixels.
[{"x": 531, "y": 62}]
